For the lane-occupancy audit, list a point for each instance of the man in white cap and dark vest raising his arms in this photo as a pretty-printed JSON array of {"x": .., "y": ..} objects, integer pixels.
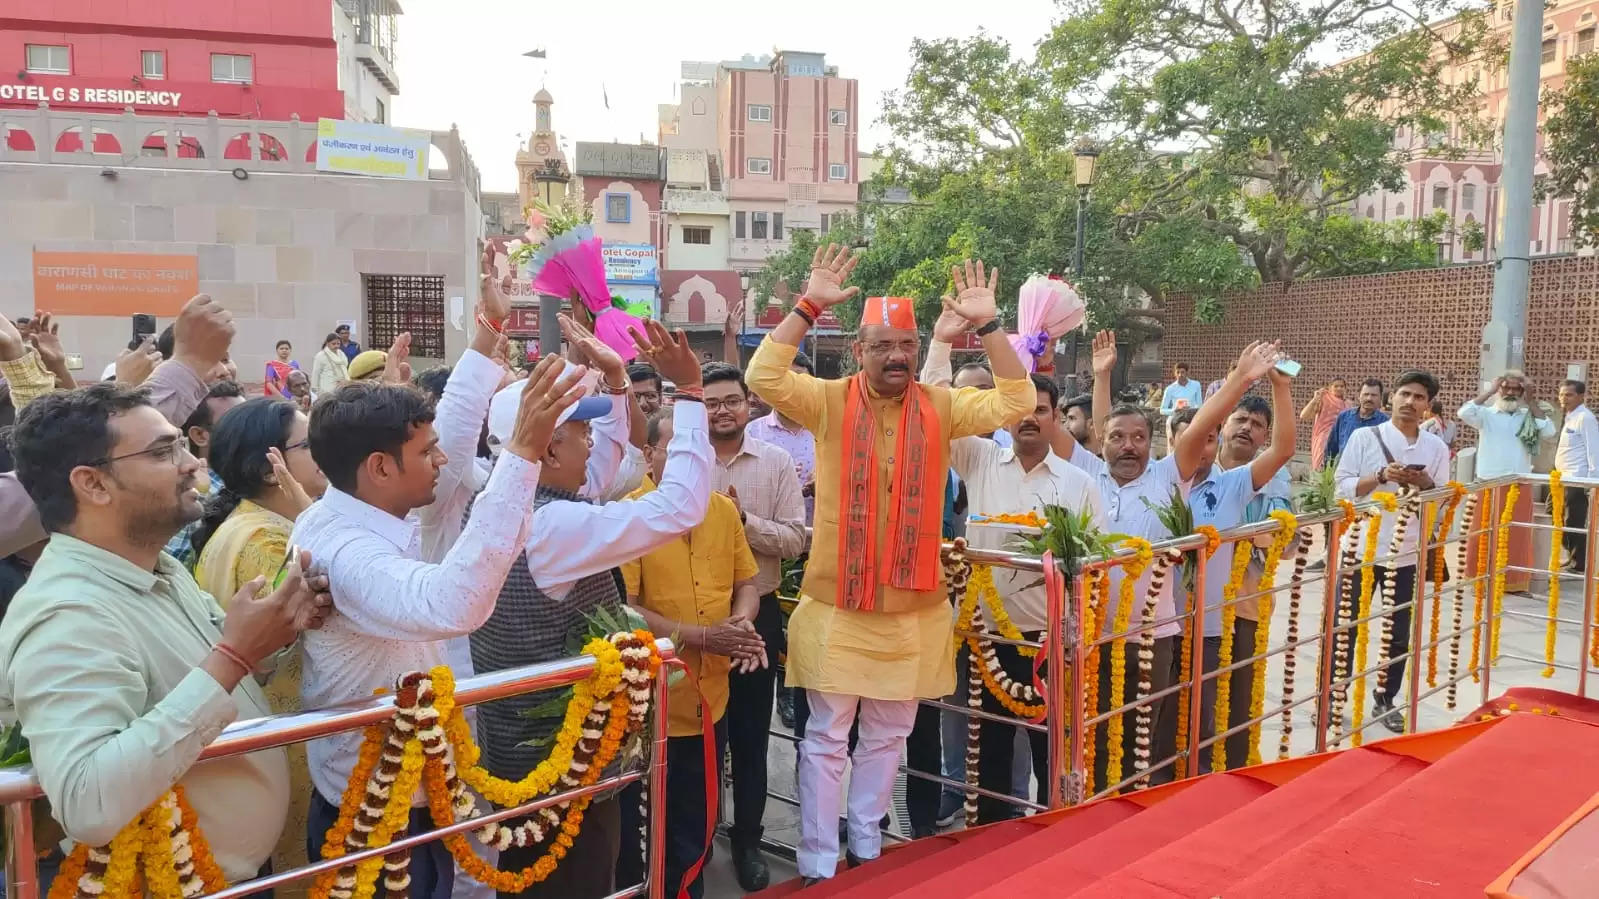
[{"x": 570, "y": 569}]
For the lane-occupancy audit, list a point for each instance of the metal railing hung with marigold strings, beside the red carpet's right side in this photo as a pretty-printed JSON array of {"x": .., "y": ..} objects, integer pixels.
[{"x": 1328, "y": 685}]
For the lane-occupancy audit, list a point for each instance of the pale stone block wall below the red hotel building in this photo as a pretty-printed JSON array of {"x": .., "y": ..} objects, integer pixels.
[{"x": 285, "y": 252}]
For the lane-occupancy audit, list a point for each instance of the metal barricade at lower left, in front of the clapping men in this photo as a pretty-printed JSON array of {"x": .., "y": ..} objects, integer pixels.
[{"x": 20, "y": 786}]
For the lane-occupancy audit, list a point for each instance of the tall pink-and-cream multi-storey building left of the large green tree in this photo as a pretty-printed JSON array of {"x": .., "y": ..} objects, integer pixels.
[{"x": 756, "y": 150}]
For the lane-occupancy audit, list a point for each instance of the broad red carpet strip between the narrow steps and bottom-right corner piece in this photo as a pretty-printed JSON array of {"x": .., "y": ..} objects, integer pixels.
[{"x": 1453, "y": 829}]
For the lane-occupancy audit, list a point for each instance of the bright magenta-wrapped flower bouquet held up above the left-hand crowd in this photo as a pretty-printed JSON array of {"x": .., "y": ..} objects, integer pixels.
[{"x": 562, "y": 257}]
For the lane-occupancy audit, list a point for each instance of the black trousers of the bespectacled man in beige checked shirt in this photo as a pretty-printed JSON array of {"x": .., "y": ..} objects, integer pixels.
[{"x": 749, "y": 724}]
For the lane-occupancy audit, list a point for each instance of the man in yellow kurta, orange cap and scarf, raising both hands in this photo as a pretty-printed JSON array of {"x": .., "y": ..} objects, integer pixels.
[{"x": 874, "y": 628}]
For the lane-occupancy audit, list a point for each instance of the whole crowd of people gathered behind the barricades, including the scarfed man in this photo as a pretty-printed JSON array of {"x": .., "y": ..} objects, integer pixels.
[{"x": 178, "y": 557}]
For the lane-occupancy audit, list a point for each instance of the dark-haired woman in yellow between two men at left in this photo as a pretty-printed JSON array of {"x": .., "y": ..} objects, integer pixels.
[{"x": 261, "y": 450}]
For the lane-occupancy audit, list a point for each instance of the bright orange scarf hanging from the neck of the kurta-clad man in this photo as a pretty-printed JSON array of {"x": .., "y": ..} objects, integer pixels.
[{"x": 915, "y": 521}]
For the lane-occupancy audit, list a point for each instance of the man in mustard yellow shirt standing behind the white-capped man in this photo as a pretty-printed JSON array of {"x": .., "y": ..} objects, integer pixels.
[{"x": 701, "y": 589}]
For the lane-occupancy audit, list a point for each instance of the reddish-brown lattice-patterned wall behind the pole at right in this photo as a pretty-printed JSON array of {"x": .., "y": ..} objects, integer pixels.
[{"x": 1381, "y": 326}]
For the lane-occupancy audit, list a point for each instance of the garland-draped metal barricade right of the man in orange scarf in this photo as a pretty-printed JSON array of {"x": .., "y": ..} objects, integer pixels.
[{"x": 1336, "y": 693}]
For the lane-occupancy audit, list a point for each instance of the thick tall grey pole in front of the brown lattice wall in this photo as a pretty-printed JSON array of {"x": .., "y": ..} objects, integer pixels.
[{"x": 1505, "y": 337}]
